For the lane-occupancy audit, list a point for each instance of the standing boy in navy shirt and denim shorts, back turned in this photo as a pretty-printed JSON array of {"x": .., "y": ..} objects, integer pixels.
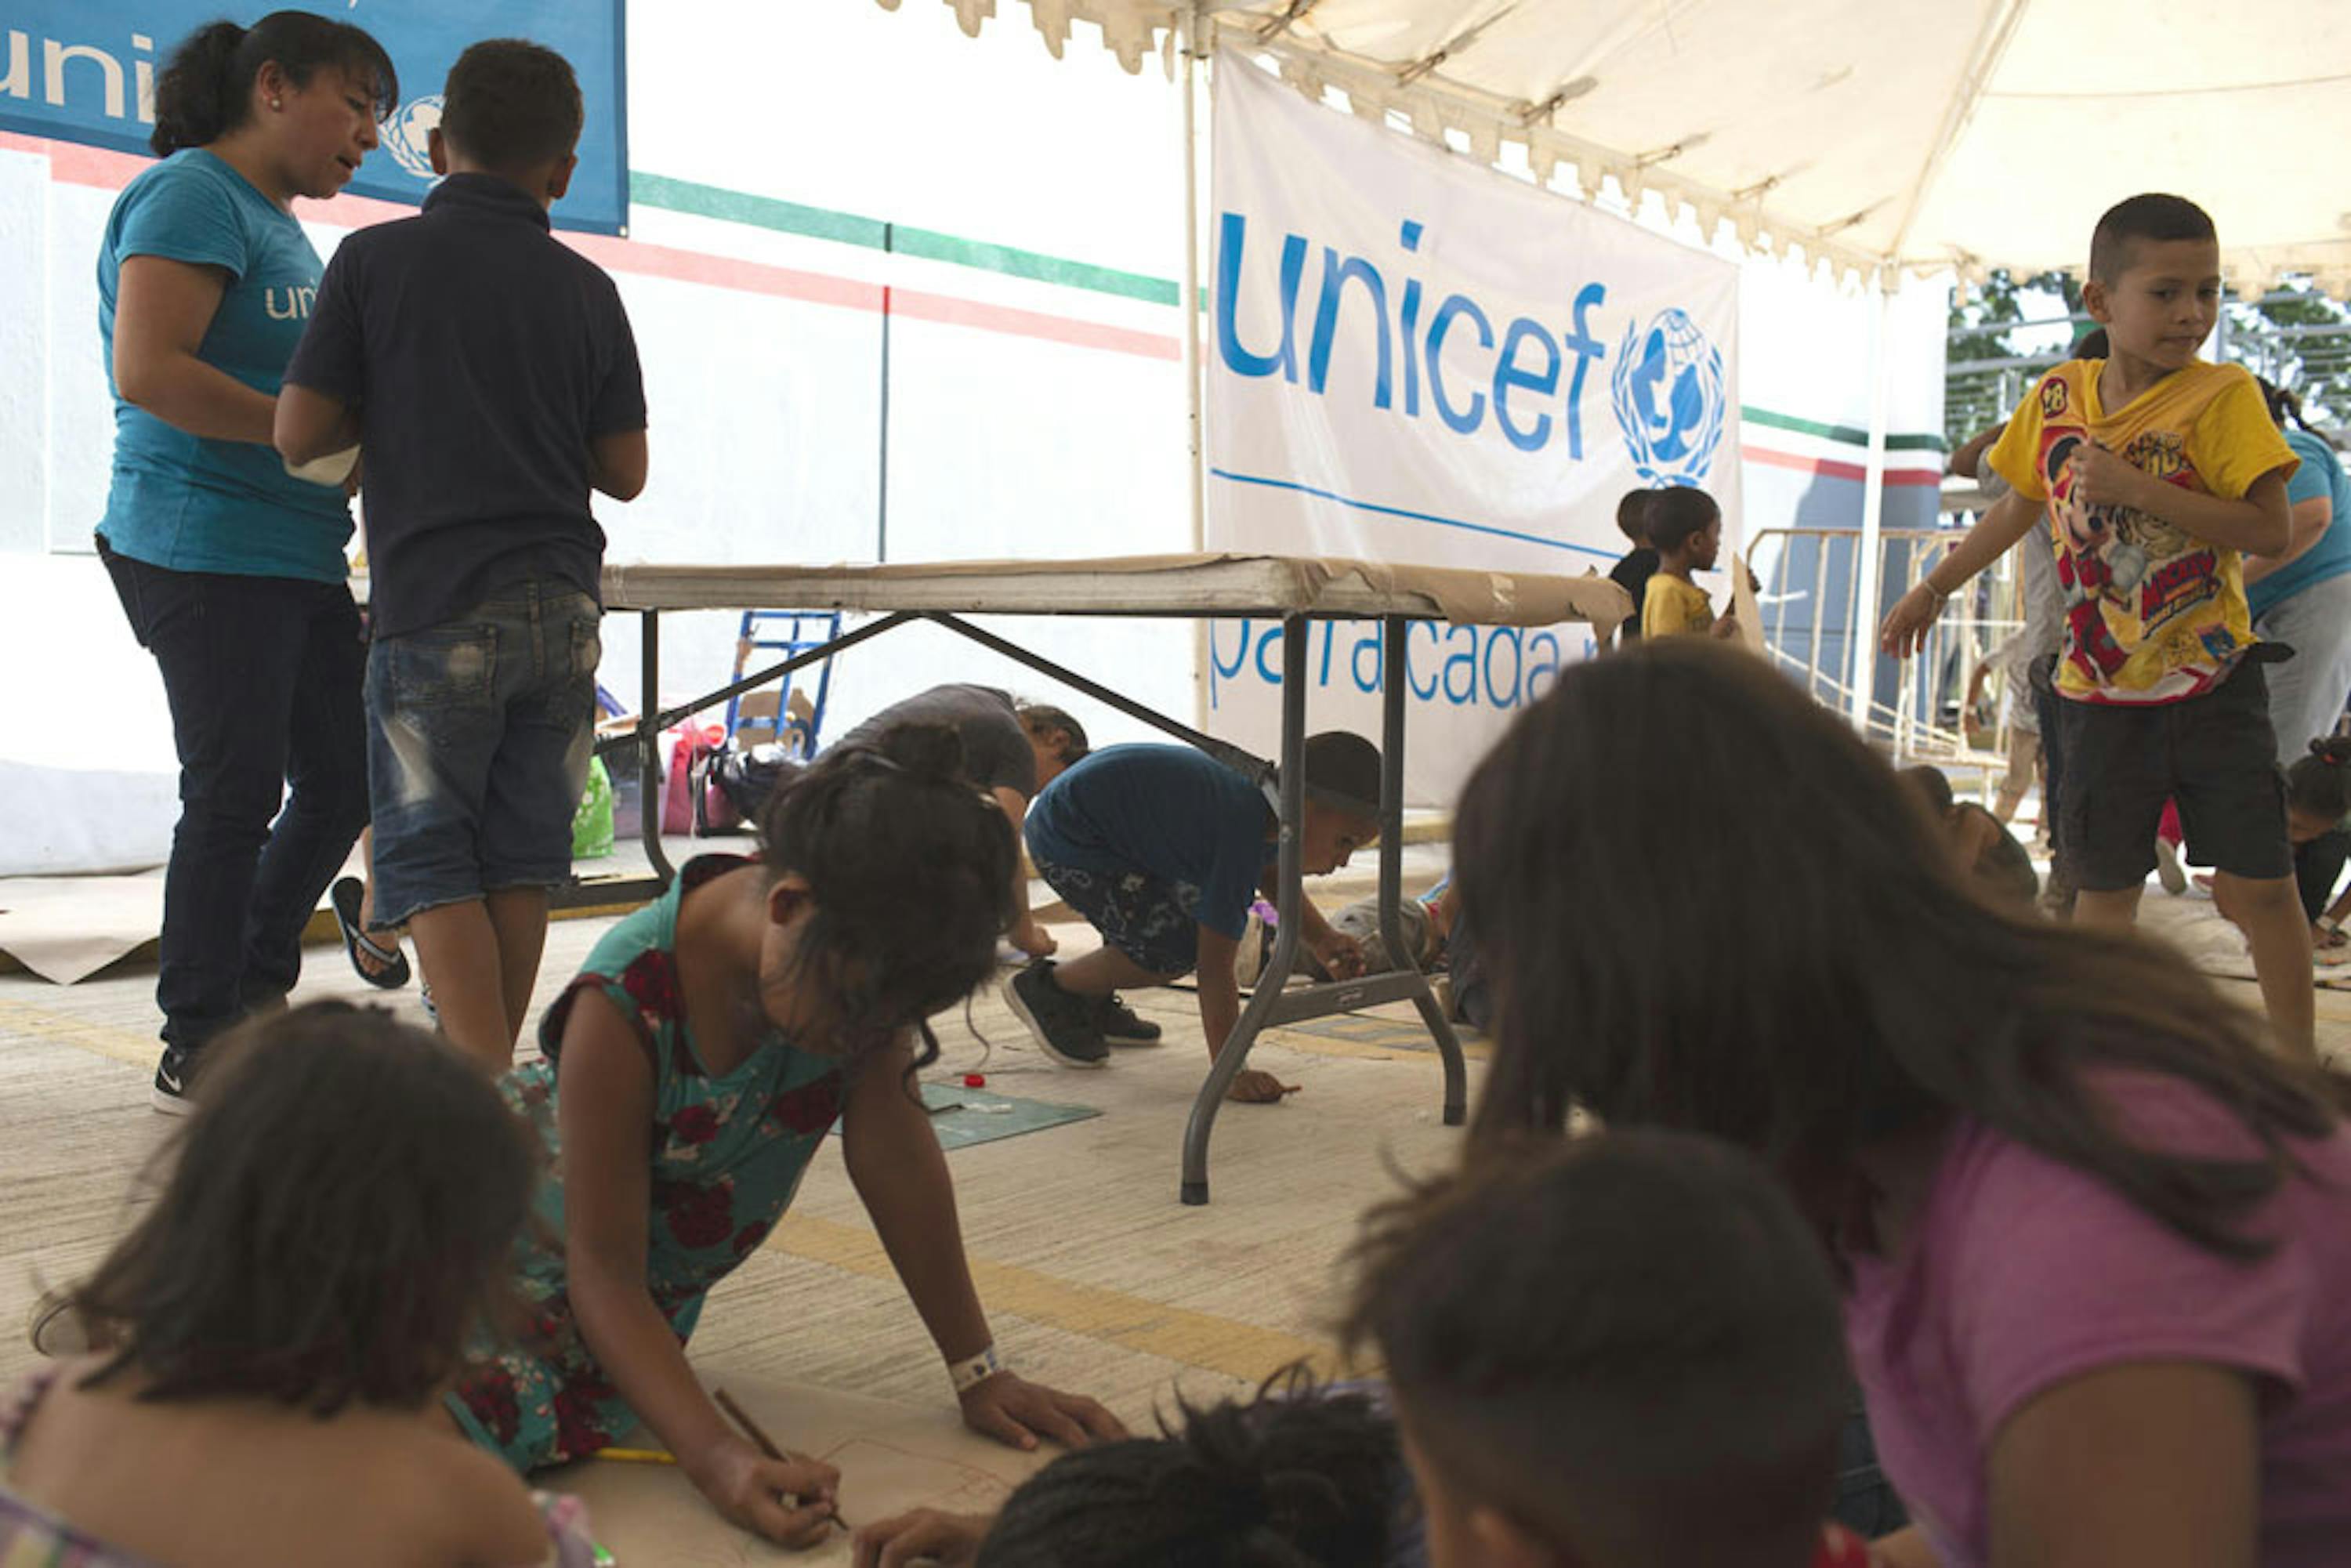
[{"x": 490, "y": 380}]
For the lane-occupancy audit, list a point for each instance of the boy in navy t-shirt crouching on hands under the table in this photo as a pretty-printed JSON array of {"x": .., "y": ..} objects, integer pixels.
[{"x": 1163, "y": 850}]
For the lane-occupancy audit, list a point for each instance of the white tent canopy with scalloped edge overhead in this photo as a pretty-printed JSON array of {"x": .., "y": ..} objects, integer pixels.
[{"x": 1868, "y": 133}]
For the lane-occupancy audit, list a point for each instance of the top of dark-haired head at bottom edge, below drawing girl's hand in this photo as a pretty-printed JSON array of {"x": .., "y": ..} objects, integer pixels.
[{"x": 1297, "y": 1477}]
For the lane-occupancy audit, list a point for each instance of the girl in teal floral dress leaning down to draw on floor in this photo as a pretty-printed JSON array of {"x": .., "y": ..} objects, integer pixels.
[{"x": 692, "y": 1073}]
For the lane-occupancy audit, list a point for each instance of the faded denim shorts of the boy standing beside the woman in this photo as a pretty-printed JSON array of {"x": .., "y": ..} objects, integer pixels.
[{"x": 478, "y": 742}]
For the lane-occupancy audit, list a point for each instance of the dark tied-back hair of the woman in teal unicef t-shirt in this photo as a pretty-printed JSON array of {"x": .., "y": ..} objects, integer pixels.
[{"x": 208, "y": 86}]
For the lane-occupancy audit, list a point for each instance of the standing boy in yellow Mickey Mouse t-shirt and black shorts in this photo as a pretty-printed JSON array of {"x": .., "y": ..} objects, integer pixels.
[{"x": 2159, "y": 474}]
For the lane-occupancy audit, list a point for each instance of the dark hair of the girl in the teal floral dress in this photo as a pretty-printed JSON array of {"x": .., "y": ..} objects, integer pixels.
[{"x": 911, "y": 873}]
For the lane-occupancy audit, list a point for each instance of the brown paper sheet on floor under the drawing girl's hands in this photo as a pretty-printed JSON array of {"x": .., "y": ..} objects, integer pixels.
[{"x": 892, "y": 1459}]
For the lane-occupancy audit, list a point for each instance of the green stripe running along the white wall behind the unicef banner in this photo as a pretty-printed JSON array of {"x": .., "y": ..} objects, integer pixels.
[{"x": 1005, "y": 260}]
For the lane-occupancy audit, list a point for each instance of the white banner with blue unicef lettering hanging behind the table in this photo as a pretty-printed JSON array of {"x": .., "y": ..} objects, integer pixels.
[{"x": 1414, "y": 359}]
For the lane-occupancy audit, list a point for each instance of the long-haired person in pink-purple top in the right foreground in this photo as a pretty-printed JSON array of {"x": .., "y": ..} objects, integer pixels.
[{"x": 2096, "y": 1238}]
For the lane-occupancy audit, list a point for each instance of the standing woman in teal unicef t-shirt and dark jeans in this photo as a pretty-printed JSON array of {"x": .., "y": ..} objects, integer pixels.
[{"x": 229, "y": 568}]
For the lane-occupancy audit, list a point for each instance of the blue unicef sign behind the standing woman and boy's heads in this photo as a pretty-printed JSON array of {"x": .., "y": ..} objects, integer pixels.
[{"x": 86, "y": 72}]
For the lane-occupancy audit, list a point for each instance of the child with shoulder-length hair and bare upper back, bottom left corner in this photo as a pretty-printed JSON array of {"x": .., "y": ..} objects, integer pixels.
[{"x": 274, "y": 1336}]
